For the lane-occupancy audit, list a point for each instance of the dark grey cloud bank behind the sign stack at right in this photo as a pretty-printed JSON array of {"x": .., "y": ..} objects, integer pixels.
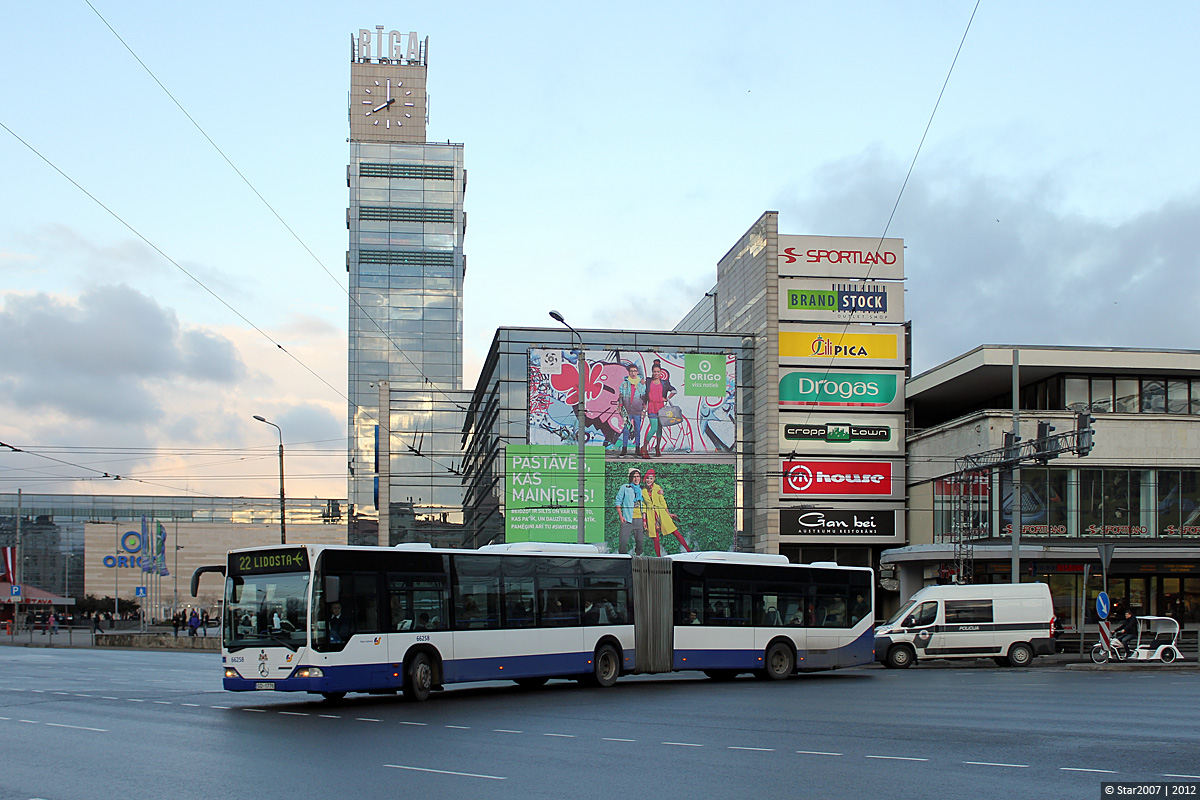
[{"x": 991, "y": 262}]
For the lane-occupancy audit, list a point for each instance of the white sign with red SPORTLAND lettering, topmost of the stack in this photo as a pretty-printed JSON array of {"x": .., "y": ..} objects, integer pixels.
[{"x": 842, "y": 257}]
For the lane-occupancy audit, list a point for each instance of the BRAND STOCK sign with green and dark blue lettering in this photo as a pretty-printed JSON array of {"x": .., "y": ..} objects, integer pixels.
[{"x": 825, "y": 299}]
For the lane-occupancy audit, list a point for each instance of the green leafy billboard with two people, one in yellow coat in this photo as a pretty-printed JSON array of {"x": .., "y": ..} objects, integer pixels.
[{"x": 663, "y": 508}]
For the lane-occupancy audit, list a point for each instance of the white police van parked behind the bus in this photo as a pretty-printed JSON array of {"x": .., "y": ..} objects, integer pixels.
[{"x": 1010, "y": 623}]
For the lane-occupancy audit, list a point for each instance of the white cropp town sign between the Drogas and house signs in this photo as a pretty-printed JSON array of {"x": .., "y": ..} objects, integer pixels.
[{"x": 842, "y": 434}]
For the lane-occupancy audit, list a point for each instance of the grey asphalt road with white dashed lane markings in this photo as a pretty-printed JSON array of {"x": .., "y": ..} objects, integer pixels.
[{"x": 93, "y": 725}]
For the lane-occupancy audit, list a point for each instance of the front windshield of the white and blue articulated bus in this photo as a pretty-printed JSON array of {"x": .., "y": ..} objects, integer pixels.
[{"x": 266, "y": 610}]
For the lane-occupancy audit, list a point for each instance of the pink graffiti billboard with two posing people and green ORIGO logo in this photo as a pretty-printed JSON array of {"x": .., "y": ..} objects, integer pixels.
[{"x": 639, "y": 405}]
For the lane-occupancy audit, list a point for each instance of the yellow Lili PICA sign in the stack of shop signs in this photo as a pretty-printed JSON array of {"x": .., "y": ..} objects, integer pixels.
[{"x": 843, "y": 346}]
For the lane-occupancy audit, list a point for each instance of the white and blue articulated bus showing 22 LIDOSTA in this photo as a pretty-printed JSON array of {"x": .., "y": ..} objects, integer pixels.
[{"x": 412, "y": 619}]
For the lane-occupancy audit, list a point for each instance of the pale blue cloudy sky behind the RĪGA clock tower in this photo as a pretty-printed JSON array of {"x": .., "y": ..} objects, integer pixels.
[{"x": 161, "y": 285}]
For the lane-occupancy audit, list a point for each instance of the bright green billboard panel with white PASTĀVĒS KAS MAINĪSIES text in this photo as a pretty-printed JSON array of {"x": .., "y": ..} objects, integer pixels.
[{"x": 543, "y": 490}]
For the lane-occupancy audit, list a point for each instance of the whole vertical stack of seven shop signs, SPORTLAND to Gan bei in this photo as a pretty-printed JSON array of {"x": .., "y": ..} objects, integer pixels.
[{"x": 843, "y": 357}]
